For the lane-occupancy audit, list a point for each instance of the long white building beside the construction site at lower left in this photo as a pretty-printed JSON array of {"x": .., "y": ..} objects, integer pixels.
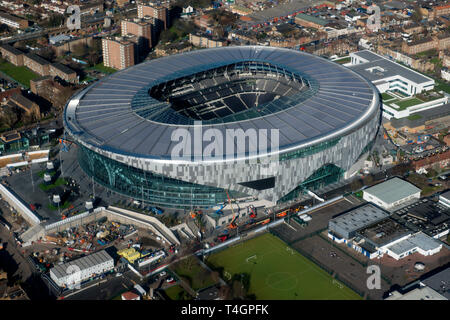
[{"x": 79, "y": 270}]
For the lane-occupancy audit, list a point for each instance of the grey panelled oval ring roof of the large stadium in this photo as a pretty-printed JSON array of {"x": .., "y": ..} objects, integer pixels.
[{"x": 102, "y": 114}]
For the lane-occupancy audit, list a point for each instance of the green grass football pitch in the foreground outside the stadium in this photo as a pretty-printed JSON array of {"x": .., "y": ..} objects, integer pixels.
[{"x": 278, "y": 272}]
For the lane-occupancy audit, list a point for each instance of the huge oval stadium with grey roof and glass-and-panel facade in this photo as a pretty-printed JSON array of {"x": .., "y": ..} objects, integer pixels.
[{"x": 313, "y": 119}]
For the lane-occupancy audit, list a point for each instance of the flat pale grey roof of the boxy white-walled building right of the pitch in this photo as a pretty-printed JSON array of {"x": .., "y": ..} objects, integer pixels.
[{"x": 392, "y": 190}]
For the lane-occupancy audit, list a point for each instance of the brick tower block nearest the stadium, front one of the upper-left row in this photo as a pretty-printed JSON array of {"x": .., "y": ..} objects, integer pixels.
[{"x": 118, "y": 53}]
